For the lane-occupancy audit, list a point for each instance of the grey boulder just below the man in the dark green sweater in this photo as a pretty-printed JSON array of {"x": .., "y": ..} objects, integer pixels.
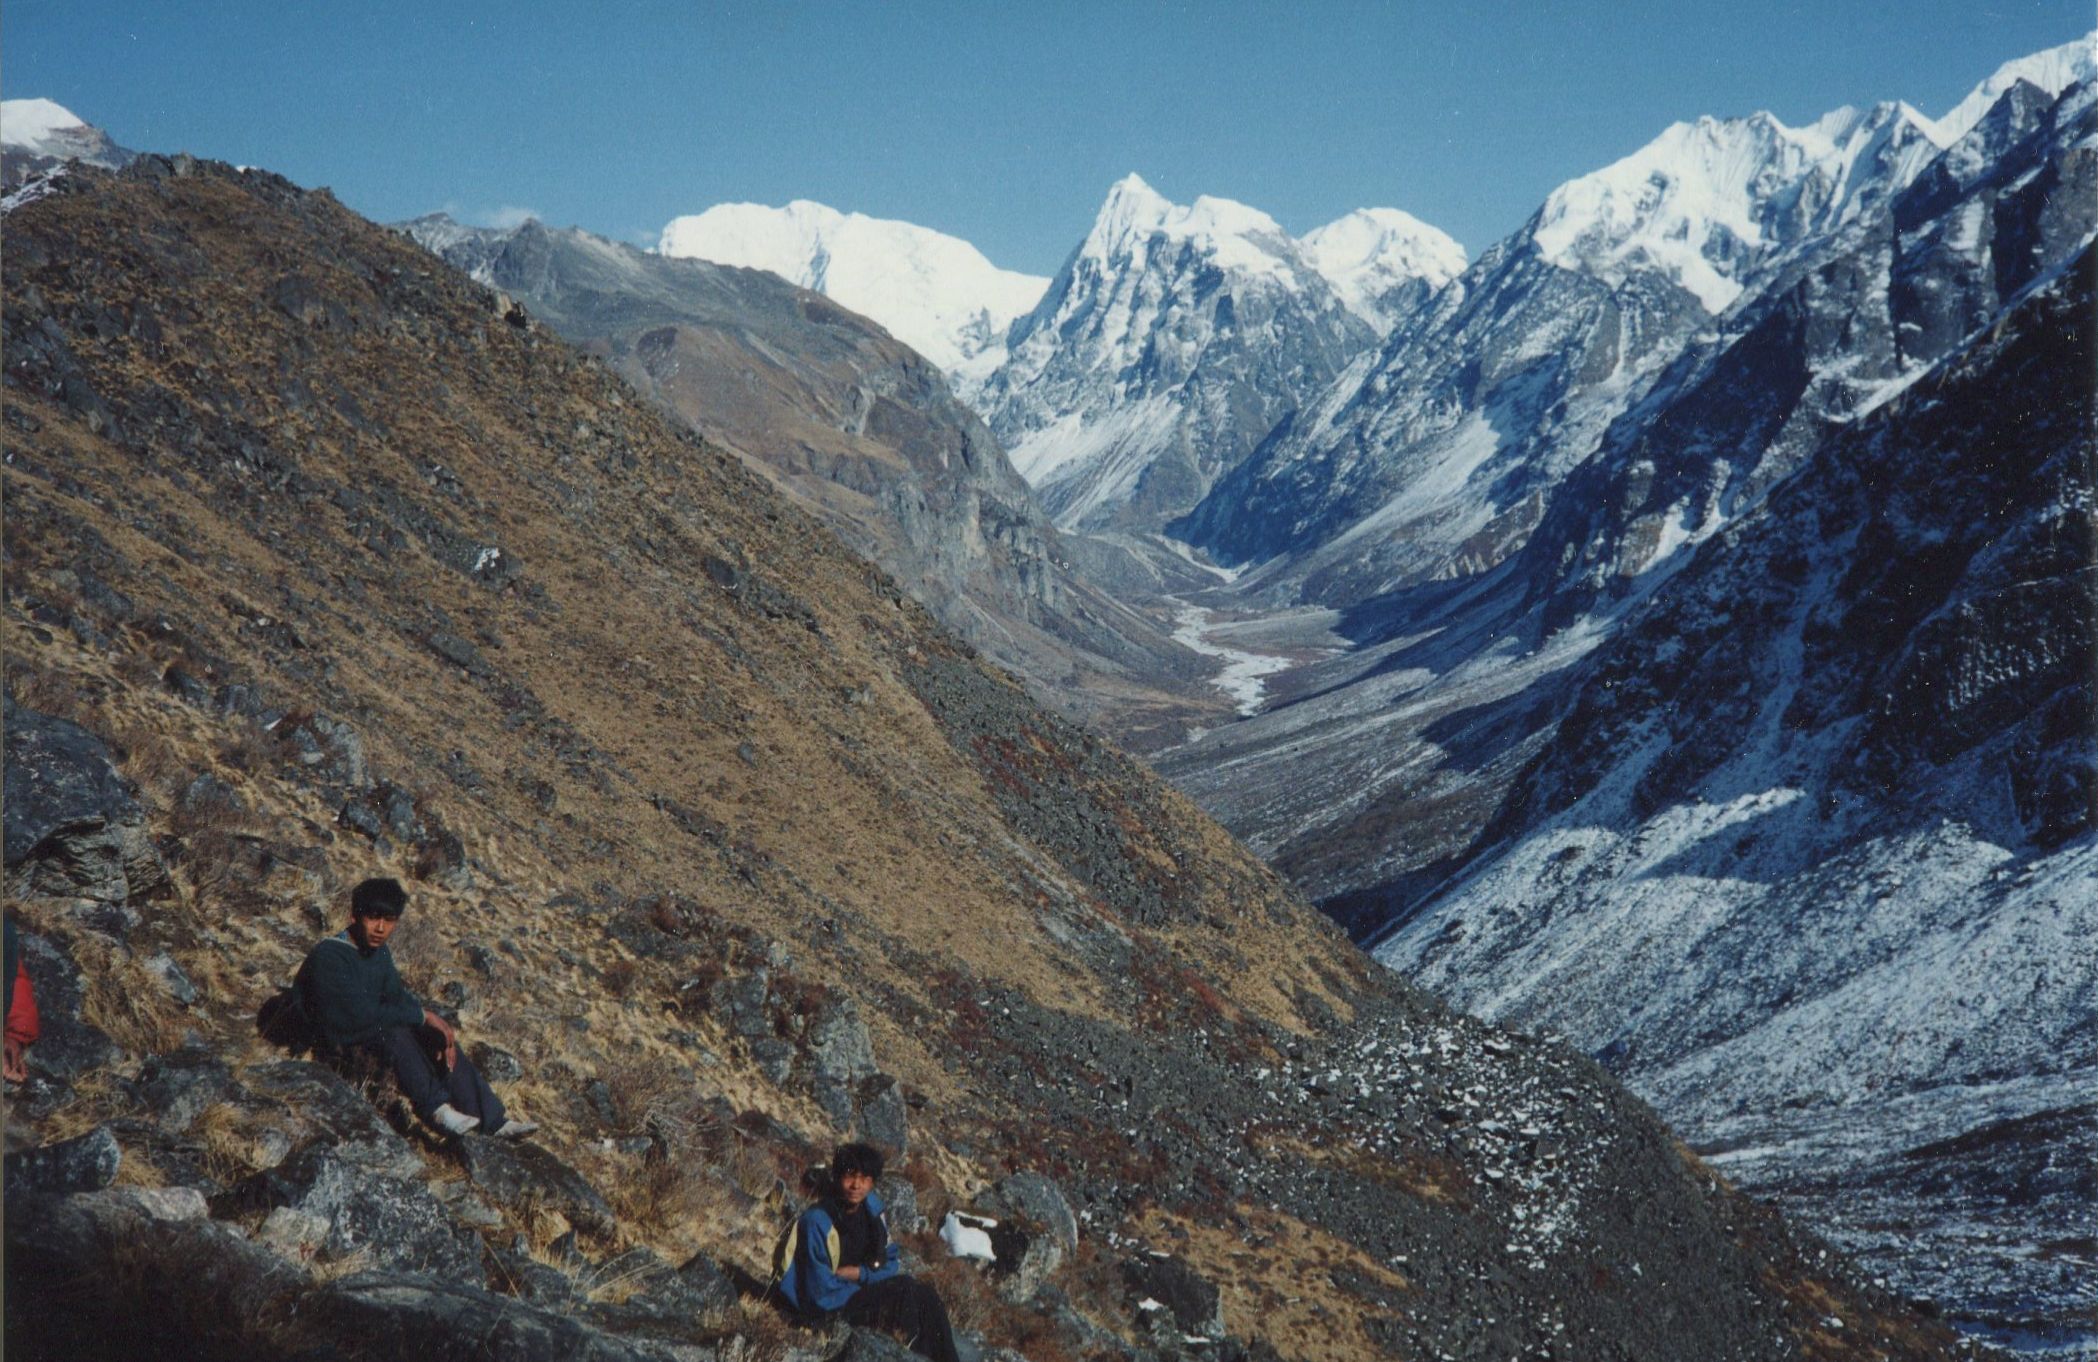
[{"x": 393, "y": 1222}]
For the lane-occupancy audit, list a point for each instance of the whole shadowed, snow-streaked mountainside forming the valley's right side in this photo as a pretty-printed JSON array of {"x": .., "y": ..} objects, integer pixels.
[{"x": 1698, "y": 511}]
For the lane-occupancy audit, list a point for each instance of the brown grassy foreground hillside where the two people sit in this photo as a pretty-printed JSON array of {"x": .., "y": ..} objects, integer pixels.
[{"x": 349, "y": 566}]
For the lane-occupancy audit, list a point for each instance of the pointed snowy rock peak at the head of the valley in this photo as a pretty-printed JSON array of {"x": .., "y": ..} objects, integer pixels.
[{"x": 1165, "y": 349}]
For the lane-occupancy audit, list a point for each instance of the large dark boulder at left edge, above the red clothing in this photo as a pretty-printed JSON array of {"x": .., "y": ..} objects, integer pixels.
[{"x": 72, "y": 830}]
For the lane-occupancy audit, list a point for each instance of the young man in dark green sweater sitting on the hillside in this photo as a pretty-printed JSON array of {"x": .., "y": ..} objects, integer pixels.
[{"x": 354, "y": 996}]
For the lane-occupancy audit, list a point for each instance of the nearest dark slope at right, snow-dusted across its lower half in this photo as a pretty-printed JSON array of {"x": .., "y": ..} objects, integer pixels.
[{"x": 1812, "y": 853}]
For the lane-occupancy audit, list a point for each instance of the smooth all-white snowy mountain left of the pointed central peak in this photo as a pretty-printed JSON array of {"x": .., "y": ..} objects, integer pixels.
[{"x": 935, "y": 293}]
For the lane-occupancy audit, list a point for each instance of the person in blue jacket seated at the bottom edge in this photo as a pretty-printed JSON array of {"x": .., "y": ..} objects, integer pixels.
[{"x": 842, "y": 1262}]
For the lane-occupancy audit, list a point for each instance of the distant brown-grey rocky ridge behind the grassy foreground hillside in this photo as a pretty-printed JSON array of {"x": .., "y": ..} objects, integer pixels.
[{"x": 868, "y": 433}]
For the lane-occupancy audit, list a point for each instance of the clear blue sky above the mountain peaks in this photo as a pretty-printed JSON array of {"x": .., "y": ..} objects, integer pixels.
[{"x": 998, "y": 123}]
